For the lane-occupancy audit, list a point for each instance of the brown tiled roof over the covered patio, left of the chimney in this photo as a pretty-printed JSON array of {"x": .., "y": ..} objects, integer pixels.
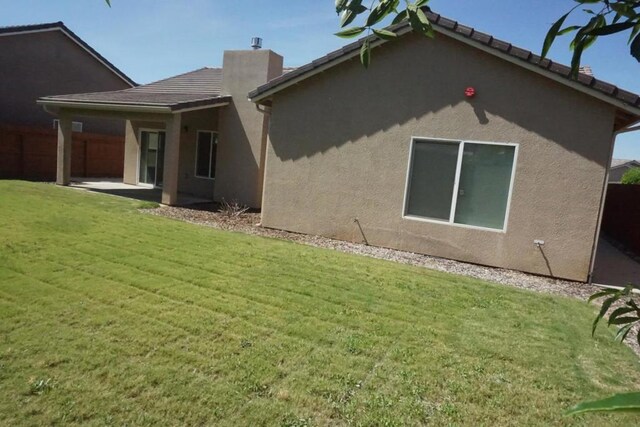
[{"x": 194, "y": 89}]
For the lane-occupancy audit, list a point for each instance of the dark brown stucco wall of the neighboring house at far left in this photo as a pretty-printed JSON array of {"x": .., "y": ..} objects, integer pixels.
[{"x": 49, "y": 63}]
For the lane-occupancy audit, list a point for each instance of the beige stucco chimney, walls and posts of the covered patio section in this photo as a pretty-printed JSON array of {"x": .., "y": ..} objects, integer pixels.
[{"x": 241, "y": 134}]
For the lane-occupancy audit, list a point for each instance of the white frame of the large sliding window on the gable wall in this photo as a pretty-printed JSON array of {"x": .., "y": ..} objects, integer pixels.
[{"x": 456, "y": 186}]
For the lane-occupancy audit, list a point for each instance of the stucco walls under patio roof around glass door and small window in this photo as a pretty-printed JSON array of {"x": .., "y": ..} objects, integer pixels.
[{"x": 192, "y": 122}]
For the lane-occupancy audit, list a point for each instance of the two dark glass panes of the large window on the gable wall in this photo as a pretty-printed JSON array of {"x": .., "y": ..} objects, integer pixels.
[{"x": 476, "y": 187}]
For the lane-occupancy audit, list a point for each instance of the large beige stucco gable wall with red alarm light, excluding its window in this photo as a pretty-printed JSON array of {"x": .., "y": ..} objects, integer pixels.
[{"x": 339, "y": 150}]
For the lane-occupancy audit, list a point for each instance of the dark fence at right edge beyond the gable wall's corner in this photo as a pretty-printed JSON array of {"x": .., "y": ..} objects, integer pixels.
[{"x": 621, "y": 219}]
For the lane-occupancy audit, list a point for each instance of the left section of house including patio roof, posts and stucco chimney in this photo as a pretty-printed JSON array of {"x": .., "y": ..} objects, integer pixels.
[{"x": 195, "y": 133}]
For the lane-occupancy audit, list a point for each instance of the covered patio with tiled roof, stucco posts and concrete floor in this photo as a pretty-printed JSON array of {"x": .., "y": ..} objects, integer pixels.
[{"x": 164, "y": 123}]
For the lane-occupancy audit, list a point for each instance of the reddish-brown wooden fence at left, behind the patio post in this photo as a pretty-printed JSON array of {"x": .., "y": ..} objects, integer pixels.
[{"x": 30, "y": 153}]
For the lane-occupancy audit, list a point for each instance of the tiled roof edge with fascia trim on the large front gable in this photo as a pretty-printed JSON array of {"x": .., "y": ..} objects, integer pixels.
[{"x": 607, "y": 92}]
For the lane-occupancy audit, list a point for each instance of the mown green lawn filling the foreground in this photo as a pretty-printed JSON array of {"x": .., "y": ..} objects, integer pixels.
[{"x": 112, "y": 317}]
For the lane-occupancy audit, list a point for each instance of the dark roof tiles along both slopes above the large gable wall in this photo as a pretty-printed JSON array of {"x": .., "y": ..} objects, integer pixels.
[{"x": 448, "y": 26}]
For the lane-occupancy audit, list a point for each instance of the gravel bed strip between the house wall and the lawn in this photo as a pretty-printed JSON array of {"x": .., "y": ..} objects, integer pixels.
[{"x": 249, "y": 222}]
